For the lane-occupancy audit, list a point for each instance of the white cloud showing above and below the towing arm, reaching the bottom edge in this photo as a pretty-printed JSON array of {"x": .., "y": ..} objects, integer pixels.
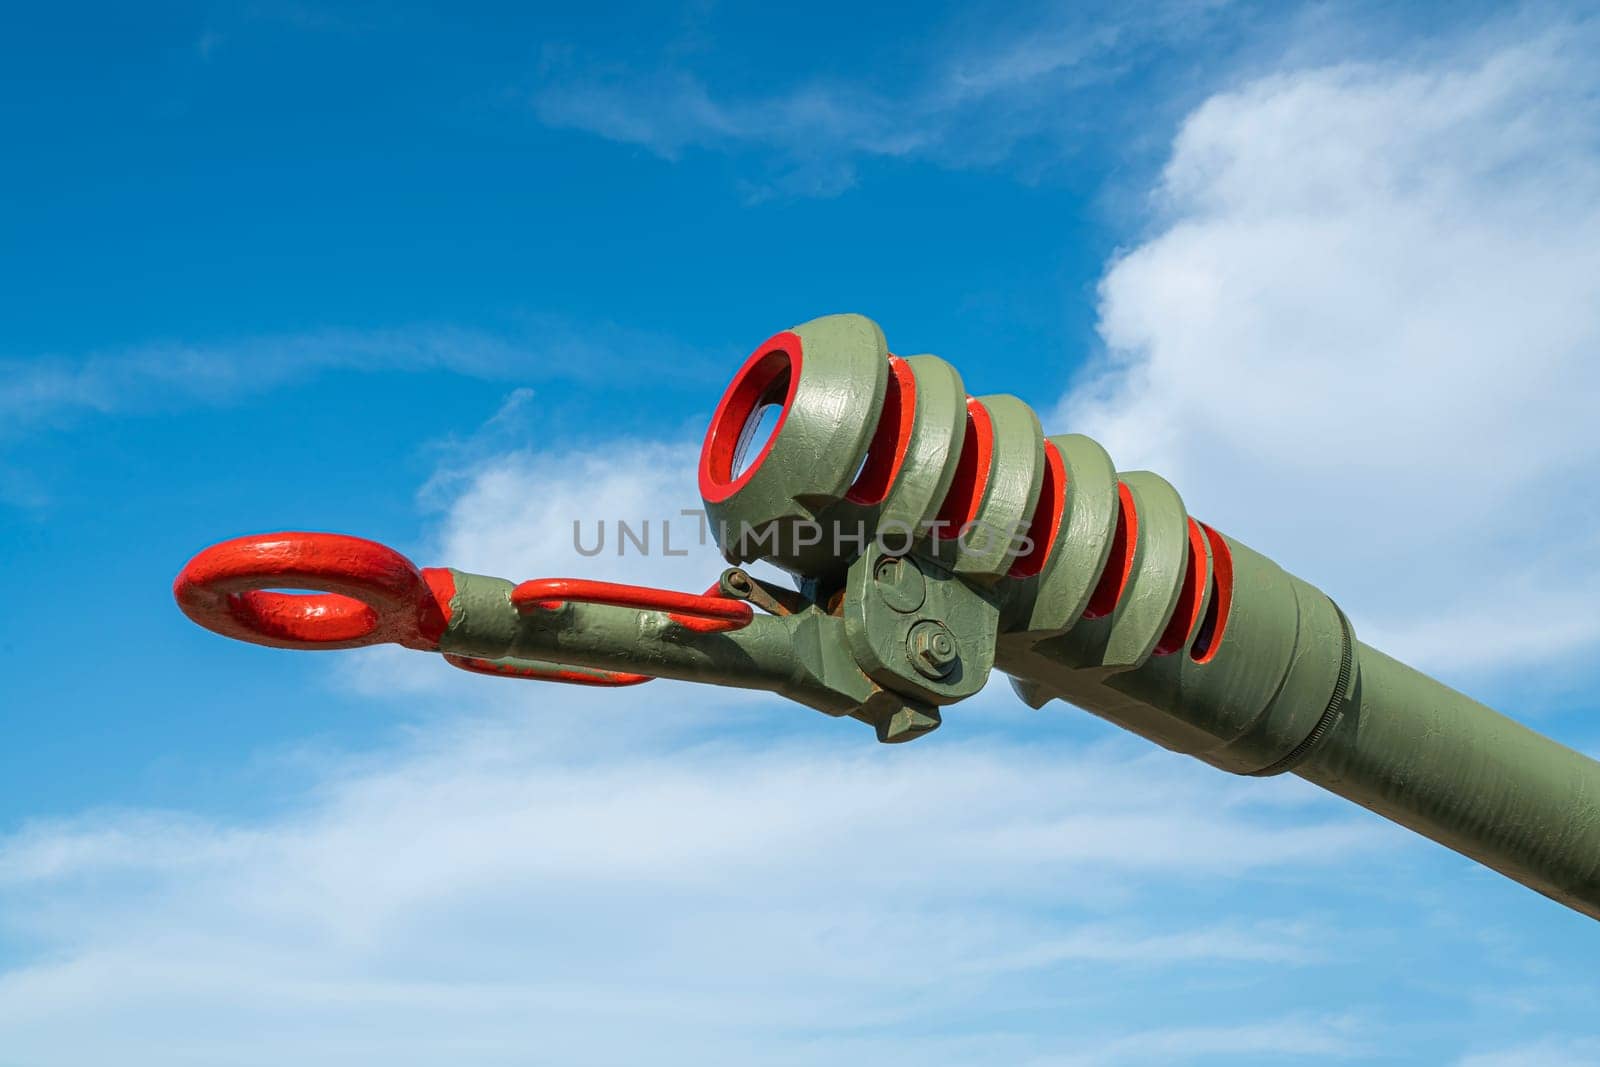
[{"x": 684, "y": 879}]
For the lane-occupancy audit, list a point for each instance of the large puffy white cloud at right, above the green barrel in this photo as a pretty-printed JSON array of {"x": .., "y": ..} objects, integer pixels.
[{"x": 1366, "y": 338}]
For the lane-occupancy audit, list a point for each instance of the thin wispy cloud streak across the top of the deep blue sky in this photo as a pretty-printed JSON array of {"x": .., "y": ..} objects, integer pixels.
[{"x": 970, "y": 102}]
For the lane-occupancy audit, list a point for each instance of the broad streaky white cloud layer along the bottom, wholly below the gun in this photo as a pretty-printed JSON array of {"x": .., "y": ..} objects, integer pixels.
[{"x": 479, "y": 897}]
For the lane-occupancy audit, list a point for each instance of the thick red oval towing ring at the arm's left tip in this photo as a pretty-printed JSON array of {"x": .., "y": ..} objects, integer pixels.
[{"x": 369, "y": 594}]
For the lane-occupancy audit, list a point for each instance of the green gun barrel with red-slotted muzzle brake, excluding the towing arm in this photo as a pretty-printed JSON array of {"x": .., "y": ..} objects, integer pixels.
[{"x": 1106, "y": 594}]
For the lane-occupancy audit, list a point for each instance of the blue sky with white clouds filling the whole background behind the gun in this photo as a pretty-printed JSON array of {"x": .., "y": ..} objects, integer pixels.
[{"x": 452, "y": 279}]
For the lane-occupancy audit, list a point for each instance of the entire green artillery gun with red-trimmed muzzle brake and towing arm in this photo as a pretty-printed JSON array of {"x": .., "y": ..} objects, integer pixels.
[{"x": 934, "y": 540}]
